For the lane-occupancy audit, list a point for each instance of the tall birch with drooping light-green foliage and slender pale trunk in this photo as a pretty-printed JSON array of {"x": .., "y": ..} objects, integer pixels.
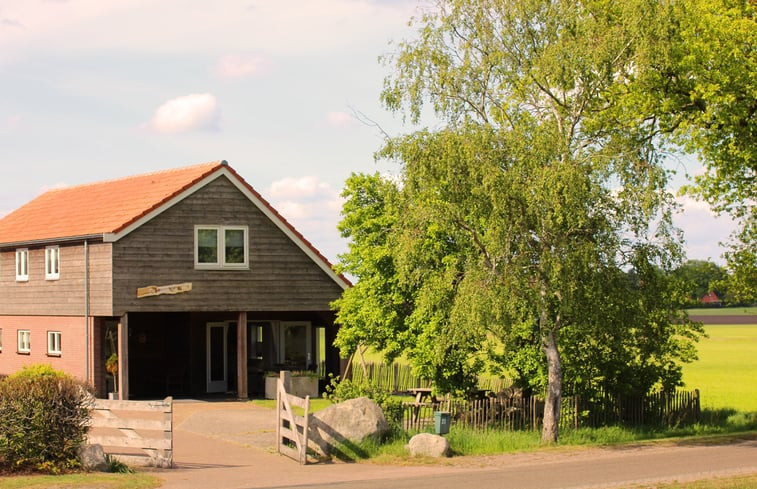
[{"x": 521, "y": 180}]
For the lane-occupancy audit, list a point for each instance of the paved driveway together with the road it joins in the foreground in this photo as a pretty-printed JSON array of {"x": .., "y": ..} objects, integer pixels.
[{"x": 227, "y": 446}]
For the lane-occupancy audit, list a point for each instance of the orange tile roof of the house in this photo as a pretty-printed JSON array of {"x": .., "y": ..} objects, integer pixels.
[{"x": 98, "y": 208}]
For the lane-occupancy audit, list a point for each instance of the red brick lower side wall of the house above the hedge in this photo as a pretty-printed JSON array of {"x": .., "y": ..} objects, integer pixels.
[{"x": 71, "y": 359}]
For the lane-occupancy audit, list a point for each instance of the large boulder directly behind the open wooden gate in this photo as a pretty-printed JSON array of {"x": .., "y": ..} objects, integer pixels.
[{"x": 350, "y": 421}]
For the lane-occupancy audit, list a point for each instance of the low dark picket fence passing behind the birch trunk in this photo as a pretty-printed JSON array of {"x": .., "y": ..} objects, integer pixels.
[{"x": 525, "y": 413}]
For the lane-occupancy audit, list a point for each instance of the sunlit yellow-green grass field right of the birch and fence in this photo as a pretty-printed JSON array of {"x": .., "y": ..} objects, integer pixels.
[{"x": 726, "y": 372}]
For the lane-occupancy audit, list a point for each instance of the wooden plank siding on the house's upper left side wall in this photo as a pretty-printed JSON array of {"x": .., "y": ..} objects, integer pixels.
[{"x": 61, "y": 297}]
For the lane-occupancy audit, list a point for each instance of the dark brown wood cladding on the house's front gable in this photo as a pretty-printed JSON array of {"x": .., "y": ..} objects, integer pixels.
[{"x": 281, "y": 277}]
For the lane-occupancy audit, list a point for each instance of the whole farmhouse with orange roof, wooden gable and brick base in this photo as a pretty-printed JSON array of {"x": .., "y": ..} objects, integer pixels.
[{"x": 188, "y": 275}]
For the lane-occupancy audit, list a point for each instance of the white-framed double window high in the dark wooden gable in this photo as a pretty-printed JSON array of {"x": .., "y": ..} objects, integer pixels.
[{"x": 218, "y": 247}]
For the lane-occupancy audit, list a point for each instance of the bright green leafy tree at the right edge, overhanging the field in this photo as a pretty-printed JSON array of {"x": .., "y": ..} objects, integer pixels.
[{"x": 694, "y": 86}]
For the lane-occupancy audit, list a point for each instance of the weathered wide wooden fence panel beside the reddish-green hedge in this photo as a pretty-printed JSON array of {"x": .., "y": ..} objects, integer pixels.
[{"x": 135, "y": 432}]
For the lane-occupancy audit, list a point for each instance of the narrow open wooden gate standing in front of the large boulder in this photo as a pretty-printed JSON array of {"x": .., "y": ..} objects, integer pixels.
[{"x": 291, "y": 428}]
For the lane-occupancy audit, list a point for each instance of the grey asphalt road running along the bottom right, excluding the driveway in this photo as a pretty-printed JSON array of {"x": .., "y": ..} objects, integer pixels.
[{"x": 593, "y": 468}]
